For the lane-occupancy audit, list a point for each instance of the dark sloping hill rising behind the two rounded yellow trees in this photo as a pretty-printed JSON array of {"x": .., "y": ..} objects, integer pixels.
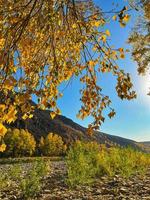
[{"x": 41, "y": 124}]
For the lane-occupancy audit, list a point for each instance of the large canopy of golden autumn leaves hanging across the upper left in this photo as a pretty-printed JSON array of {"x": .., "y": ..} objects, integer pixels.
[{"x": 46, "y": 43}]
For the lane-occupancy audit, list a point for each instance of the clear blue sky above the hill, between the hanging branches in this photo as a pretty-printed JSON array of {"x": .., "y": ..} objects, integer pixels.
[{"x": 133, "y": 117}]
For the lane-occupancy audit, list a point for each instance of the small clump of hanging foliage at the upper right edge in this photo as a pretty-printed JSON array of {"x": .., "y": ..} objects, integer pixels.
[{"x": 140, "y": 38}]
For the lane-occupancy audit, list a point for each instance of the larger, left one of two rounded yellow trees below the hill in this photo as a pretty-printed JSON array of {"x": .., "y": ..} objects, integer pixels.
[{"x": 19, "y": 143}]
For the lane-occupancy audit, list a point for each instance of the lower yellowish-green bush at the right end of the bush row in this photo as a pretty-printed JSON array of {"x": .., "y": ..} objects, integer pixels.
[{"x": 123, "y": 161}]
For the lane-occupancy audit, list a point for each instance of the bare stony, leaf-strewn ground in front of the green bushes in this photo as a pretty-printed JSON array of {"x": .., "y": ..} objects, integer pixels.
[{"x": 115, "y": 188}]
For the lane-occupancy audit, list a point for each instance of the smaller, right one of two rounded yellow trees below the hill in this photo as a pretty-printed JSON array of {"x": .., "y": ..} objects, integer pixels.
[{"x": 52, "y": 145}]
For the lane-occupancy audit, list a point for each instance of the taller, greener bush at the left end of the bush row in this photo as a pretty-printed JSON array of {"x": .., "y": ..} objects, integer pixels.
[{"x": 82, "y": 163}]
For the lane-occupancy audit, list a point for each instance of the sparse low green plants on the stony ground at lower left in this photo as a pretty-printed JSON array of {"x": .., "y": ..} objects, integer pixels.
[{"x": 28, "y": 181}]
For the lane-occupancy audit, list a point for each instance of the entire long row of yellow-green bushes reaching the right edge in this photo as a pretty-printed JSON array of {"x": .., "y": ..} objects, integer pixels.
[{"x": 86, "y": 161}]
